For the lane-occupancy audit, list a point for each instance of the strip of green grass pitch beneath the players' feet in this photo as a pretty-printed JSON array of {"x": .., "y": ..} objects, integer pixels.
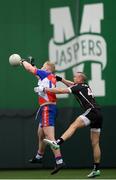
[{"x": 63, "y": 174}]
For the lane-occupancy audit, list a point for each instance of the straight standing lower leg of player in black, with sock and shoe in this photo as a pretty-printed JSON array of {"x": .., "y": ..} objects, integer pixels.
[{"x": 95, "y": 136}]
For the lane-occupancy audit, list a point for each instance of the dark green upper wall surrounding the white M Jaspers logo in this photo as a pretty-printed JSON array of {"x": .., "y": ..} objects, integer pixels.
[{"x": 25, "y": 29}]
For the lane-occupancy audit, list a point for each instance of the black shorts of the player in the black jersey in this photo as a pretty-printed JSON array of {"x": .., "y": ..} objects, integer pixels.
[{"x": 95, "y": 117}]
